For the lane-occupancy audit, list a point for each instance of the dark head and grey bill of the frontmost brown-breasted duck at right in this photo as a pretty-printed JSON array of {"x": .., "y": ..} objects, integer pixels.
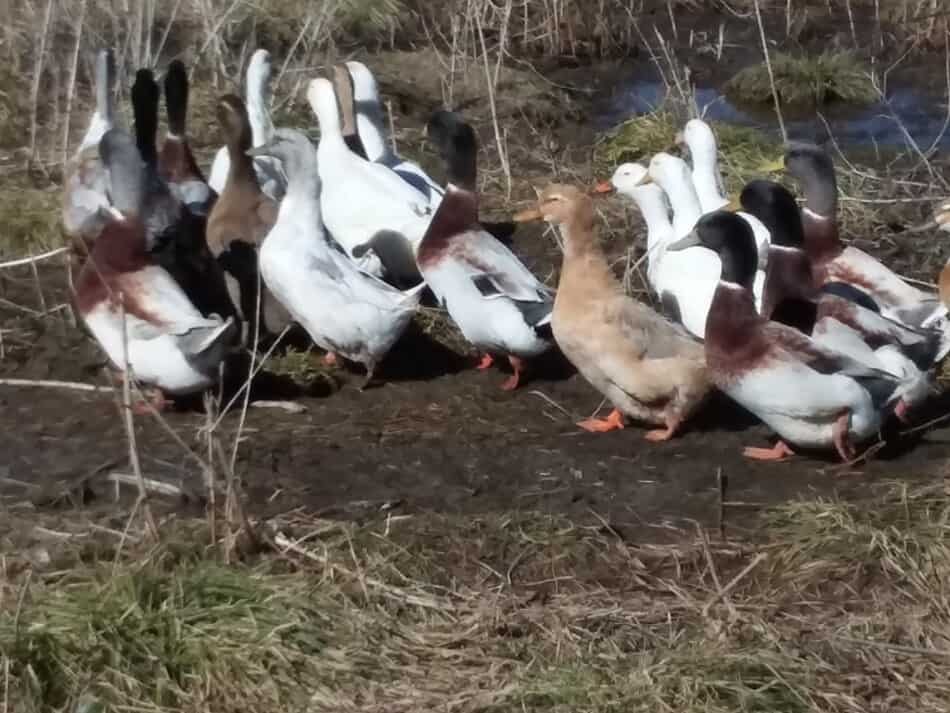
[{"x": 732, "y": 239}]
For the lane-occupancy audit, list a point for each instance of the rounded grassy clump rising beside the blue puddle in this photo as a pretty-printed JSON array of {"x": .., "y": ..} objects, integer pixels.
[{"x": 805, "y": 81}]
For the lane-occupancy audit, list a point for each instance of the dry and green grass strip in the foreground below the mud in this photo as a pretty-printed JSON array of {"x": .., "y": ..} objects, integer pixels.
[{"x": 841, "y": 608}]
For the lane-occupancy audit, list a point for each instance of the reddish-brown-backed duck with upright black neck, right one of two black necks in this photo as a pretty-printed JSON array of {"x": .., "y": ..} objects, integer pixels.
[{"x": 176, "y": 163}]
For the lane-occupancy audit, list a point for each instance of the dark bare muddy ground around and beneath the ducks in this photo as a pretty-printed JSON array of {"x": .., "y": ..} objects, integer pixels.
[{"x": 437, "y": 435}]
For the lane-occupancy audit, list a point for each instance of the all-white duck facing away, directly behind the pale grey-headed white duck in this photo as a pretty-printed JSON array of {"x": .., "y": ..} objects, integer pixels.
[{"x": 374, "y": 215}]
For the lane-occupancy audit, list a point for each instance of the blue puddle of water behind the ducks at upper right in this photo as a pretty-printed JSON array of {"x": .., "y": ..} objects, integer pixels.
[{"x": 924, "y": 116}]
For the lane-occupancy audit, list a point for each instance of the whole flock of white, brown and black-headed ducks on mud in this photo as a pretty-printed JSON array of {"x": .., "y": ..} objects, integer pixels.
[{"x": 761, "y": 299}]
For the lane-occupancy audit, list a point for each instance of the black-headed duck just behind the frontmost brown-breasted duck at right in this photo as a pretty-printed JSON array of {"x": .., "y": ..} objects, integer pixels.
[{"x": 838, "y": 315}]
